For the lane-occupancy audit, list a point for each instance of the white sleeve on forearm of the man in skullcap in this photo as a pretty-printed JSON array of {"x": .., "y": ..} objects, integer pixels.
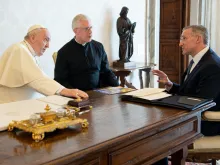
[{"x": 46, "y": 86}]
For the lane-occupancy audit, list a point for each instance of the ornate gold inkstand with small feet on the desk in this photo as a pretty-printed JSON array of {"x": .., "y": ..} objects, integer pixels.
[{"x": 48, "y": 122}]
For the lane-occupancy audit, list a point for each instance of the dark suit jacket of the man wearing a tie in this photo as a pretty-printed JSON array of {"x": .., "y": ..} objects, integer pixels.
[{"x": 203, "y": 81}]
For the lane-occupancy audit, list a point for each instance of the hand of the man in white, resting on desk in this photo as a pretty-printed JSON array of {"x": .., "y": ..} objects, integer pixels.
[{"x": 76, "y": 93}]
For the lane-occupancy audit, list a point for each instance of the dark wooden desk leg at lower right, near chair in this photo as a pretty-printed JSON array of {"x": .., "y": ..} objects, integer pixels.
[{"x": 179, "y": 157}]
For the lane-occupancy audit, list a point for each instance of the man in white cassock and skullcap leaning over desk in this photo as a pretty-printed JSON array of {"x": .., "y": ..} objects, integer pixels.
[{"x": 20, "y": 75}]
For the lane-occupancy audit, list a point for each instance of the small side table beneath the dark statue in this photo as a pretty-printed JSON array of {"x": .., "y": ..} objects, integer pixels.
[{"x": 121, "y": 74}]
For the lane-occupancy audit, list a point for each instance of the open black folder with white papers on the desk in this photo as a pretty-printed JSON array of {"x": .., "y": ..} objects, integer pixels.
[{"x": 158, "y": 96}]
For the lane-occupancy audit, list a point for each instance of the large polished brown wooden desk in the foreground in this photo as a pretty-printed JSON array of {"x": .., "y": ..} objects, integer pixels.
[{"x": 119, "y": 133}]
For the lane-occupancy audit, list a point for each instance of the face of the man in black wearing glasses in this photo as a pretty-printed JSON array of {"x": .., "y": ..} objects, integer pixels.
[{"x": 83, "y": 32}]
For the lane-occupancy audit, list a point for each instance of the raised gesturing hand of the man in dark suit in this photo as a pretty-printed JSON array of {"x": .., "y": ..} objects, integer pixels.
[{"x": 163, "y": 78}]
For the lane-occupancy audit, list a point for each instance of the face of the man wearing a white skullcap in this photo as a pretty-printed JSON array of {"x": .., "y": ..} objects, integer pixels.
[{"x": 41, "y": 42}]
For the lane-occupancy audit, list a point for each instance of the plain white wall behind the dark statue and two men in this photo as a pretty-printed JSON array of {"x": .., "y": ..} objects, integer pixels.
[{"x": 17, "y": 15}]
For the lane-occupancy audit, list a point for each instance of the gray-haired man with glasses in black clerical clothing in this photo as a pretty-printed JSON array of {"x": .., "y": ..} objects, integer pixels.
[{"x": 82, "y": 62}]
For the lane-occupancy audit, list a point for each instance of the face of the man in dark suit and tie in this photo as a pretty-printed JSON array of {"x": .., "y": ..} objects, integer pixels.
[{"x": 188, "y": 42}]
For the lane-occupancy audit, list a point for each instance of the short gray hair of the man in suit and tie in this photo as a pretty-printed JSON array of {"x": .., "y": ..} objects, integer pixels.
[{"x": 200, "y": 30}]
